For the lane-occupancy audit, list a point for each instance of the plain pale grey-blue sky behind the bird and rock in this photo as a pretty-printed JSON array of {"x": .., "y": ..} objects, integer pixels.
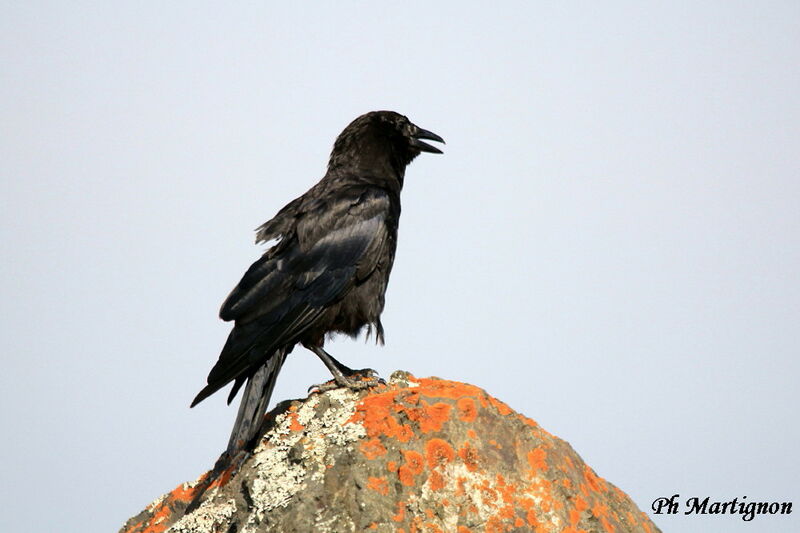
[{"x": 610, "y": 243}]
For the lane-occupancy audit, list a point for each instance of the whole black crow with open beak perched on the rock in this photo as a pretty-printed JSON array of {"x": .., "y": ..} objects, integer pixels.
[{"x": 328, "y": 271}]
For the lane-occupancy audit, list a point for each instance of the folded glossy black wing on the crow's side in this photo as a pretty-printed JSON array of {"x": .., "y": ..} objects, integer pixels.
[{"x": 283, "y": 293}]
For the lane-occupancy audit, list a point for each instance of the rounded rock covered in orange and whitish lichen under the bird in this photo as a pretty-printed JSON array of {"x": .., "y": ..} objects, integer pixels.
[{"x": 415, "y": 455}]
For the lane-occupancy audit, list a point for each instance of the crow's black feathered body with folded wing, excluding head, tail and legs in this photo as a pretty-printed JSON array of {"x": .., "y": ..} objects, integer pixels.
[{"x": 327, "y": 274}]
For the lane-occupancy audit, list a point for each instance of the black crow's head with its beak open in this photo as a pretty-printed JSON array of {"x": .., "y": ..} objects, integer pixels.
[{"x": 382, "y": 138}]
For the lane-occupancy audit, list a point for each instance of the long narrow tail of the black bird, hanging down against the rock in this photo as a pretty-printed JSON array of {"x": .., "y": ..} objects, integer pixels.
[{"x": 254, "y": 404}]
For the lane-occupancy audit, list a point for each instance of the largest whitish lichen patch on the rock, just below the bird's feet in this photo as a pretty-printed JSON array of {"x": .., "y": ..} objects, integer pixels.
[{"x": 287, "y": 458}]
